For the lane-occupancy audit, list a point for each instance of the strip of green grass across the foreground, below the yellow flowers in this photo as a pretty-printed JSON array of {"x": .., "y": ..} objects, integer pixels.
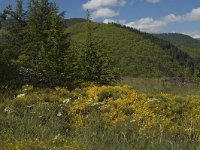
[{"x": 47, "y": 132}]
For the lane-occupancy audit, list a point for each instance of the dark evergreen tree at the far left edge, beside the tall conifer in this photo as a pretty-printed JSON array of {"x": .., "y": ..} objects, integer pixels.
[{"x": 11, "y": 37}]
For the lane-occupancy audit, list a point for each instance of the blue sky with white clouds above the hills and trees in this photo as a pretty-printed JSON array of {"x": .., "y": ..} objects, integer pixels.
[{"x": 154, "y": 16}]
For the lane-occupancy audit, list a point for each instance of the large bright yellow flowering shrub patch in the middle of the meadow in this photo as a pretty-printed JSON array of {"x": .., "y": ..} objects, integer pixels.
[{"x": 116, "y": 104}]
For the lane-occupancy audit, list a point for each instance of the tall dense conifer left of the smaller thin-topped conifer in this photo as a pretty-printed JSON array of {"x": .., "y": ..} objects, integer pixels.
[{"x": 46, "y": 43}]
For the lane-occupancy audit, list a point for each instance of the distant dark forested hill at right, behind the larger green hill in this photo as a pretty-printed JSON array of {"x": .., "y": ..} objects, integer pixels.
[{"x": 180, "y": 39}]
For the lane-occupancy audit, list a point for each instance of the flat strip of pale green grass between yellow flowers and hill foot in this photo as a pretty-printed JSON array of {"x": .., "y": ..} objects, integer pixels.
[{"x": 157, "y": 85}]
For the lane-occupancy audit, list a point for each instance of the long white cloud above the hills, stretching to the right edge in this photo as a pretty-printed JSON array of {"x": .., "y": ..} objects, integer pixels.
[{"x": 153, "y": 25}]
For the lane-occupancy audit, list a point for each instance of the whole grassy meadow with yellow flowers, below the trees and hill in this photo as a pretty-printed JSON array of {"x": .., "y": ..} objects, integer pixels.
[{"x": 145, "y": 115}]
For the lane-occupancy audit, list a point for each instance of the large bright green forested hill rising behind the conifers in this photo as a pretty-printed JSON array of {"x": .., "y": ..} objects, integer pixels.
[{"x": 136, "y": 53}]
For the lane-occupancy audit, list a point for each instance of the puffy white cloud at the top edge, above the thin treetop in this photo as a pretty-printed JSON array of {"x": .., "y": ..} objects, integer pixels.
[{"x": 96, "y": 4}]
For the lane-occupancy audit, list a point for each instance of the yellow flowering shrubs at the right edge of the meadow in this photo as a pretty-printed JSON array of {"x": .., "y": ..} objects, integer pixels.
[{"x": 180, "y": 110}]
